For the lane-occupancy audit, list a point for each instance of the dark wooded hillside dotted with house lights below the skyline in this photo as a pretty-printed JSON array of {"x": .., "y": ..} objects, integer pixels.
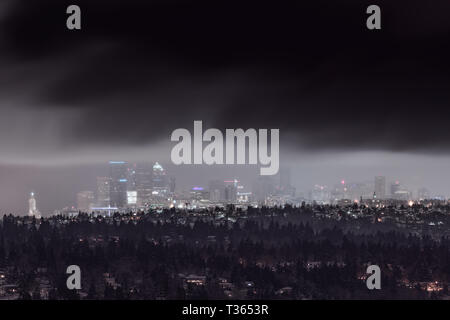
[{"x": 263, "y": 256}]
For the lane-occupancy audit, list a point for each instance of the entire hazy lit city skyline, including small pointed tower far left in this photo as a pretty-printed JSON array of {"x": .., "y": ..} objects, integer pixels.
[{"x": 142, "y": 186}]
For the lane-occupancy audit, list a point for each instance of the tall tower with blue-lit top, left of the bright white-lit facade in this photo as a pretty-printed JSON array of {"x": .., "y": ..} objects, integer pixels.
[{"x": 118, "y": 186}]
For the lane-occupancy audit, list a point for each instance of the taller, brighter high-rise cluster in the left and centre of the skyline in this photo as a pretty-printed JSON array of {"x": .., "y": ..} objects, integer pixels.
[{"x": 135, "y": 187}]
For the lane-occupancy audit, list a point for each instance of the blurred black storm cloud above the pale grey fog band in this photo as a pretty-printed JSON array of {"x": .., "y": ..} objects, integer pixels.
[{"x": 139, "y": 69}]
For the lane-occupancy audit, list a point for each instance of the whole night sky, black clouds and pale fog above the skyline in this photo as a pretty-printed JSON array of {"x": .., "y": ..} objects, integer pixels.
[{"x": 349, "y": 103}]
